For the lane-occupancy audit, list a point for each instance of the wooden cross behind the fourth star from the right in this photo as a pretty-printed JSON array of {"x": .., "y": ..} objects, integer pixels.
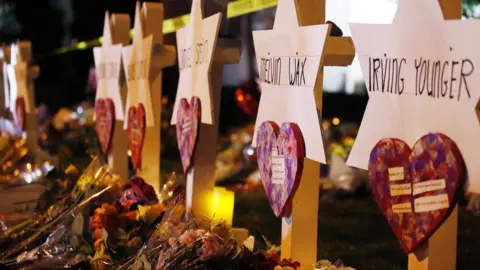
[{"x": 162, "y": 56}]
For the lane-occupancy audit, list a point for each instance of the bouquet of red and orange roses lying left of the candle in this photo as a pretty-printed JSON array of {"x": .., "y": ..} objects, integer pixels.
[{"x": 122, "y": 227}]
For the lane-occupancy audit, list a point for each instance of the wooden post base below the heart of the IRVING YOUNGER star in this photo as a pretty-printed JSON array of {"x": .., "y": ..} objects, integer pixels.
[{"x": 440, "y": 251}]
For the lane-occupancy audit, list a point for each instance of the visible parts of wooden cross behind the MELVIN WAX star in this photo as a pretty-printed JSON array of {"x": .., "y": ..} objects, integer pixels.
[{"x": 299, "y": 232}]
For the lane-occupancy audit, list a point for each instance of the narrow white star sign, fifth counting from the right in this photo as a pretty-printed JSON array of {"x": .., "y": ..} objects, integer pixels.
[{"x": 108, "y": 60}]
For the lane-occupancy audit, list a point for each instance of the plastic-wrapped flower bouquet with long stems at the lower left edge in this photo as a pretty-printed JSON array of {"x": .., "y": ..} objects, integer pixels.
[{"x": 37, "y": 233}]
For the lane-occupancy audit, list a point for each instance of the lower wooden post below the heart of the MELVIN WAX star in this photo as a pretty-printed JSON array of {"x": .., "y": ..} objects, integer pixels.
[{"x": 299, "y": 232}]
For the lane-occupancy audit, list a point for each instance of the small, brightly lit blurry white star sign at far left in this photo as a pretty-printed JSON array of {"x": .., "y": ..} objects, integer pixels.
[{"x": 17, "y": 78}]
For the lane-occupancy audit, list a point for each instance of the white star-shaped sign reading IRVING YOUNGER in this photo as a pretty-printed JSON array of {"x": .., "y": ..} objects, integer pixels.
[{"x": 422, "y": 76}]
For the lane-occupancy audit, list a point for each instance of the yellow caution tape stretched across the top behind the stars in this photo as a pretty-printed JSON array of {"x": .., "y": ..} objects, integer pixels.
[{"x": 234, "y": 9}]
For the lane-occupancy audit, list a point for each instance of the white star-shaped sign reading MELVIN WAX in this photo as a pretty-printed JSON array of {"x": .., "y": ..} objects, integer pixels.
[{"x": 288, "y": 58}]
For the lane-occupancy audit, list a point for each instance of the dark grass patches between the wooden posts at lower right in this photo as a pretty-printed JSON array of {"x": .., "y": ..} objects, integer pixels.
[{"x": 353, "y": 229}]
